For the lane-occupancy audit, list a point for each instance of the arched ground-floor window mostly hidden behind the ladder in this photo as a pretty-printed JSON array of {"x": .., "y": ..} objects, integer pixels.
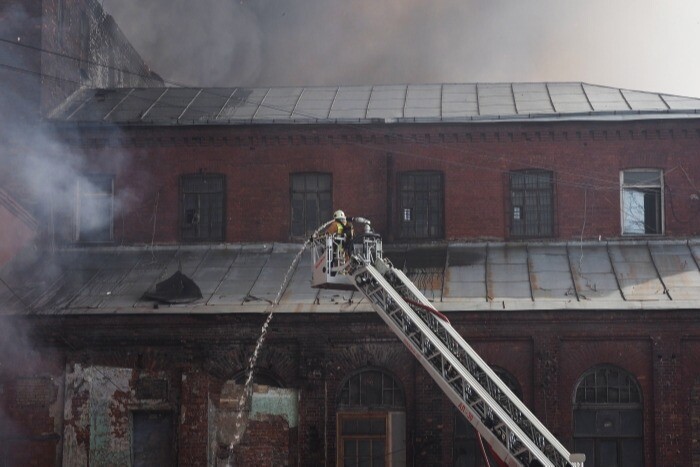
[{"x": 466, "y": 450}]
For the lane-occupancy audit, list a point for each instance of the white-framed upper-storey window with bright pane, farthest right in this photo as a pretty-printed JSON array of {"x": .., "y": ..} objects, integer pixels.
[{"x": 642, "y": 202}]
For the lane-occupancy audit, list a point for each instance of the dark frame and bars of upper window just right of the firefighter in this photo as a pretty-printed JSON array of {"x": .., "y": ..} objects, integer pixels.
[{"x": 439, "y": 224}]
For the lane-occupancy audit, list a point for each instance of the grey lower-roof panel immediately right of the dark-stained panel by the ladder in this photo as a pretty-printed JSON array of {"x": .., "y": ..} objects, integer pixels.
[{"x": 466, "y": 273}]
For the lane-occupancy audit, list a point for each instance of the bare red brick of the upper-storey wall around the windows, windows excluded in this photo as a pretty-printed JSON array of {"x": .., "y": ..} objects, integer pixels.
[{"x": 586, "y": 160}]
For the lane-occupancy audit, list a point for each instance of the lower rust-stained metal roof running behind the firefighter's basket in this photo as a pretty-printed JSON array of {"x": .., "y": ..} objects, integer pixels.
[{"x": 234, "y": 278}]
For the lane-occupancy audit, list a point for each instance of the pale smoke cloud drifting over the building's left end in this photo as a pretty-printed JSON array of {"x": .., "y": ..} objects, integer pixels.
[{"x": 43, "y": 171}]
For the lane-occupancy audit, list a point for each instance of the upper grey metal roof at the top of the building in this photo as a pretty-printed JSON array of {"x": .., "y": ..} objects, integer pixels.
[{"x": 365, "y": 104}]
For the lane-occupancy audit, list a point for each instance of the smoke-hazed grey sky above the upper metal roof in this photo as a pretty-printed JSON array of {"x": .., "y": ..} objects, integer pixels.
[{"x": 647, "y": 45}]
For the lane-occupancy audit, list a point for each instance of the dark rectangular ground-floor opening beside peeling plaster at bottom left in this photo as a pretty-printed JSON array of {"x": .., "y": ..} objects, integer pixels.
[{"x": 152, "y": 439}]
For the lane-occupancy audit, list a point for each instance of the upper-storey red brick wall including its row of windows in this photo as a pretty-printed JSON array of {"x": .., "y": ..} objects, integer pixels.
[{"x": 416, "y": 182}]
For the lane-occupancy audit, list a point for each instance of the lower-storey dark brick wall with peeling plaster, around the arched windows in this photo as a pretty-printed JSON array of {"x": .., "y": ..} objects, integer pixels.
[{"x": 546, "y": 352}]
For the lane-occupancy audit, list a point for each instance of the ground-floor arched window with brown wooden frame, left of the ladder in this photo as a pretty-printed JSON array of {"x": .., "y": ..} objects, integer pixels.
[{"x": 371, "y": 420}]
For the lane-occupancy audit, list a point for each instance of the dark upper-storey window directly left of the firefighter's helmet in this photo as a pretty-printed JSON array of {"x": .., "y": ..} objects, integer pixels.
[{"x": 311, "y": 202}]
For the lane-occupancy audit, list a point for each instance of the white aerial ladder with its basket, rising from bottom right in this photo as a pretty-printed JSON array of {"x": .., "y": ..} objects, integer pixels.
[{"x": 515, "y": 436}]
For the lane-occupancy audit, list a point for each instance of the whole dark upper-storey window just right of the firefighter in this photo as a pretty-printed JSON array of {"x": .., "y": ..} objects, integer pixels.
[{"x": 421, "y": 205}]
